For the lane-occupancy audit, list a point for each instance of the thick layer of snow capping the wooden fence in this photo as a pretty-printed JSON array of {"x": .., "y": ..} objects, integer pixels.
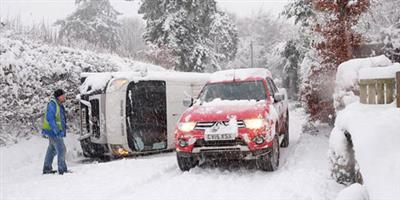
[{"x": 380, "y": 72}]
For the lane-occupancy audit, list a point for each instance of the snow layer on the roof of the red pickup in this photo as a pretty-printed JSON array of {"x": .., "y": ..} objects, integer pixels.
[{"x": 240, "y": 74}]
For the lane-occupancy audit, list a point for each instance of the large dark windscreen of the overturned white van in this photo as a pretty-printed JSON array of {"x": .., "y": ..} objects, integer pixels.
[{"x": 146, "y": 115}]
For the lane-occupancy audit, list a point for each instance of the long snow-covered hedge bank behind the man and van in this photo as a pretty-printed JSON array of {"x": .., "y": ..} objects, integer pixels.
[{"x": 30, "y": 71}]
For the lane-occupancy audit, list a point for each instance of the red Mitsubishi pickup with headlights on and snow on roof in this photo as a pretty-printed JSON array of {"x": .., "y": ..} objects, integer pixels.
[{"x": 239, "y": 114}]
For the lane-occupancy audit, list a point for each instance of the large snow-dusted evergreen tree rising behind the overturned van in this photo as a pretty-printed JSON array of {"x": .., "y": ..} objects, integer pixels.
[{"x": 197, "y": 35}]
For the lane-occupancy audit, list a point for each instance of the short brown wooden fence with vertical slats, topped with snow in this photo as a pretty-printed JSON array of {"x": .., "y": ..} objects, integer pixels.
[{"x": 380, "y": 91}]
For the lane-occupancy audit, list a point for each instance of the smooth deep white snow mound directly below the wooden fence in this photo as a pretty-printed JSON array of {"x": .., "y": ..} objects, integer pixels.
[{"x": 375, "y": 133}]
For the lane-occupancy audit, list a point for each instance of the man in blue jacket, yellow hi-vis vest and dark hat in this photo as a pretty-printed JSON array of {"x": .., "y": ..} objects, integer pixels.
[{"x": 54, "y": 127}]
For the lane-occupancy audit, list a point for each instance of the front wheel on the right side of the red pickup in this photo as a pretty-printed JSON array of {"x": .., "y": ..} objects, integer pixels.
[{"x": 270, "y": 161}]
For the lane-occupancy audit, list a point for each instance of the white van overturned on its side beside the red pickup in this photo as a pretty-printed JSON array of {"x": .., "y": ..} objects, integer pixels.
[{"x": 128, "y": 113}]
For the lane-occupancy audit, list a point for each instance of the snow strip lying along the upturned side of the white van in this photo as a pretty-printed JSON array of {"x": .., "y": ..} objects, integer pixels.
[{"x": 98, "y": 81}]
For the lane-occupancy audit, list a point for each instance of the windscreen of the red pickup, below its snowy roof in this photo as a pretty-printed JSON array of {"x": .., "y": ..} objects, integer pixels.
[{"x": 244, "y": 90}]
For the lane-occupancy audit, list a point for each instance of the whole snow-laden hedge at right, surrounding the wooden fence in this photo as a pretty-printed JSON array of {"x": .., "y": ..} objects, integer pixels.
[{"x": 365, "y": 140}]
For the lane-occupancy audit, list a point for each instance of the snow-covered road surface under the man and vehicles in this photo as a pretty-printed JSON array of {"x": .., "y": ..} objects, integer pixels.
[{"x": 303, "y": 174}]
